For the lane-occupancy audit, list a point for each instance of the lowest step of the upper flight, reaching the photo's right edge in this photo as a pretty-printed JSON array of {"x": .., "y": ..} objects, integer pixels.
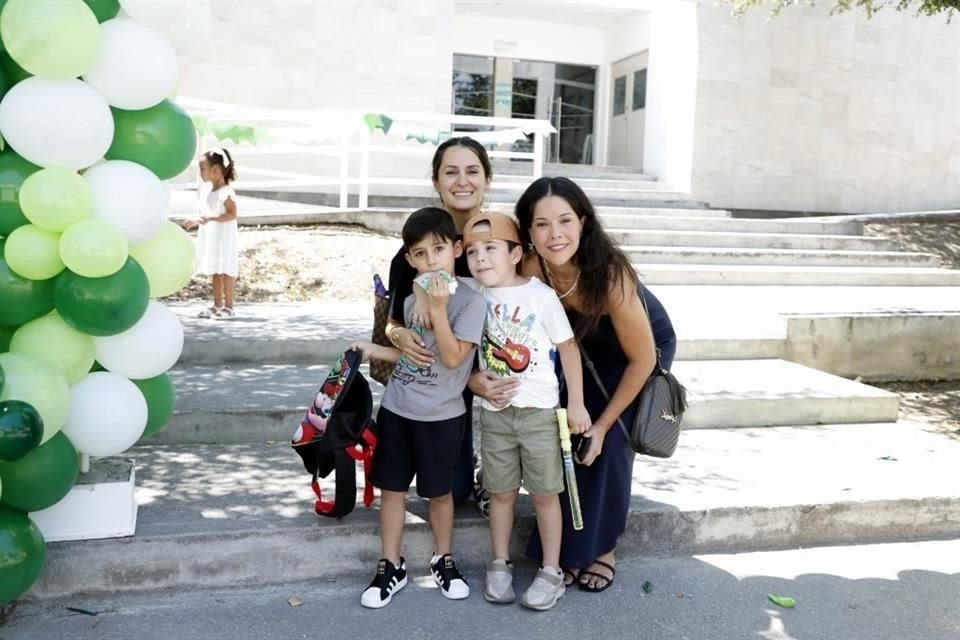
[{"x": 779, "y": 275}]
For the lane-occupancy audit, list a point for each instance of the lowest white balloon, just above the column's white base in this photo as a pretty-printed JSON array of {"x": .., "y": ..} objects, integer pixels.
[{"x": 108, "y": 414}]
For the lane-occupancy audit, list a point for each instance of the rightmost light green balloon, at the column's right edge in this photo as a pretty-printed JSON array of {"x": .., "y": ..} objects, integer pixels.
[{"x": 167, "y": 258}]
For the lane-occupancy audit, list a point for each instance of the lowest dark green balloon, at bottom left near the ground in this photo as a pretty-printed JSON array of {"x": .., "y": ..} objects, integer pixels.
[{"x": 22, "y": 554}]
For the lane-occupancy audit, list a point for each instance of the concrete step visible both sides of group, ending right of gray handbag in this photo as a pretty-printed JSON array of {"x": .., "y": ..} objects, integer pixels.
[{"x": 260, "y": 403}]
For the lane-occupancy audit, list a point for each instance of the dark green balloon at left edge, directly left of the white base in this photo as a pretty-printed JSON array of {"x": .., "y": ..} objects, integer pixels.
[{"x": 41, "y": 478}]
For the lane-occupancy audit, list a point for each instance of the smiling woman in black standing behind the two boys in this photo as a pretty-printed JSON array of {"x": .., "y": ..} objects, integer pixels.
[{"x": 461, "y": 172}]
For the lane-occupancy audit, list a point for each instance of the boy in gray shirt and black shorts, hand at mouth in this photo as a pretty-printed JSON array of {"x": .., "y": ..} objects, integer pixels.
[{"x": 421, "y": 417}]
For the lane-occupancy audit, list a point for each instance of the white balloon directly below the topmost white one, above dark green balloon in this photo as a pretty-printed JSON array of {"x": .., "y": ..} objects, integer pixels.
[{"x": 136, "y": 67}]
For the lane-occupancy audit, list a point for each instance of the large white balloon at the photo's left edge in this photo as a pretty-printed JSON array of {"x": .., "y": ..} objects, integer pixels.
[{"x": 56, "y": 123}]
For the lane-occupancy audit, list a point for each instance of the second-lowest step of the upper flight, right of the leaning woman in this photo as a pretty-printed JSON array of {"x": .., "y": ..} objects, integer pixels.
[{"x": 786, "y": 257}]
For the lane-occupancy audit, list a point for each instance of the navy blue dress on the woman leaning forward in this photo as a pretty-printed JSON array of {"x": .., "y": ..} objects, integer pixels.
[{"x": 604, "y": 486}]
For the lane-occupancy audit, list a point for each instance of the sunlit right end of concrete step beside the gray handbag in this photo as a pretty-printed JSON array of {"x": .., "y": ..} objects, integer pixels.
[{"x": 762, "y": 393}]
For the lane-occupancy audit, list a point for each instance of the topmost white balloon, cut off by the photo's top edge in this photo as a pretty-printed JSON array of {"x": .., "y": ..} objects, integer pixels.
[{"x": 185, "y": 22}]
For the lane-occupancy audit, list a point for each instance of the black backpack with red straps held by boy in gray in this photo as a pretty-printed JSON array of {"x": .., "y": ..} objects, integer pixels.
[{"x": 337, "y": 432}]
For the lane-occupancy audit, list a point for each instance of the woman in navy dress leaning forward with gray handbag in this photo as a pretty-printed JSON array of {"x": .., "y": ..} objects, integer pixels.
[{"x": 569, "y": 250}]
